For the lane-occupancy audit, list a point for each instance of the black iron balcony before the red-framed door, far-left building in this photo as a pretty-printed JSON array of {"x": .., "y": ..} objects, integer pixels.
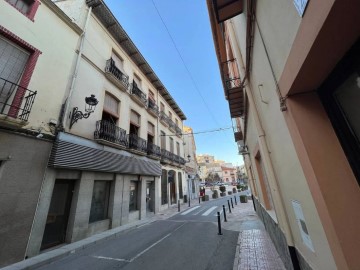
[{"x": 15, "y": 104}]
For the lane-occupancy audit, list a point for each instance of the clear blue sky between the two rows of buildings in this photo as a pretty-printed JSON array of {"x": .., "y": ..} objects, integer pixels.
[{"x": 179, "y": 47}]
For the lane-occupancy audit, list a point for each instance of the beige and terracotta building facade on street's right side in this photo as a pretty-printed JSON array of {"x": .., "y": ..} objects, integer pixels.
[{"x": 290, "y": 72}]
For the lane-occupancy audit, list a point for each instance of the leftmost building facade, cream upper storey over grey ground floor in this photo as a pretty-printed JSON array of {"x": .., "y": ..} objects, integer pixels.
[{"x": 31, "y": 93}]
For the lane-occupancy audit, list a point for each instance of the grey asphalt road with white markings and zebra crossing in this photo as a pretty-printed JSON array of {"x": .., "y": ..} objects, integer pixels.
[{"x": 185, "y": 241}]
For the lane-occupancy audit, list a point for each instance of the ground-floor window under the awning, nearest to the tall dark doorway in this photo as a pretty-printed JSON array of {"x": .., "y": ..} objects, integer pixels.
[{"x": 100, "y": 201}]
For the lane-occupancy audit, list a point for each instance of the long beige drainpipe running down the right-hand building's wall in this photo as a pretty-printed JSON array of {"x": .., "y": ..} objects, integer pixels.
[{"x": 277, "y": 198}]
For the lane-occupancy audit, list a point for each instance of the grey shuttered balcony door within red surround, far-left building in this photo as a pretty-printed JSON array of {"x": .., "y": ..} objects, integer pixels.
[{"x": 12, "y": 64}]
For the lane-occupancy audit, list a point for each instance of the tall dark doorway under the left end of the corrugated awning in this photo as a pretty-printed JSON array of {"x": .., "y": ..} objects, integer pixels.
[{"x": 58, "y": 215}]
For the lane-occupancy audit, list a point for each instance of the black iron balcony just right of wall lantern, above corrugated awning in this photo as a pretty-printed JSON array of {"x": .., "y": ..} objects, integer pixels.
[{"x": 109, "y": 134}]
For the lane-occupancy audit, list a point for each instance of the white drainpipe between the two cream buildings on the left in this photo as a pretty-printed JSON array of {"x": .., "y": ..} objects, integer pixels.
[{"x": 74, "y": 76}]
